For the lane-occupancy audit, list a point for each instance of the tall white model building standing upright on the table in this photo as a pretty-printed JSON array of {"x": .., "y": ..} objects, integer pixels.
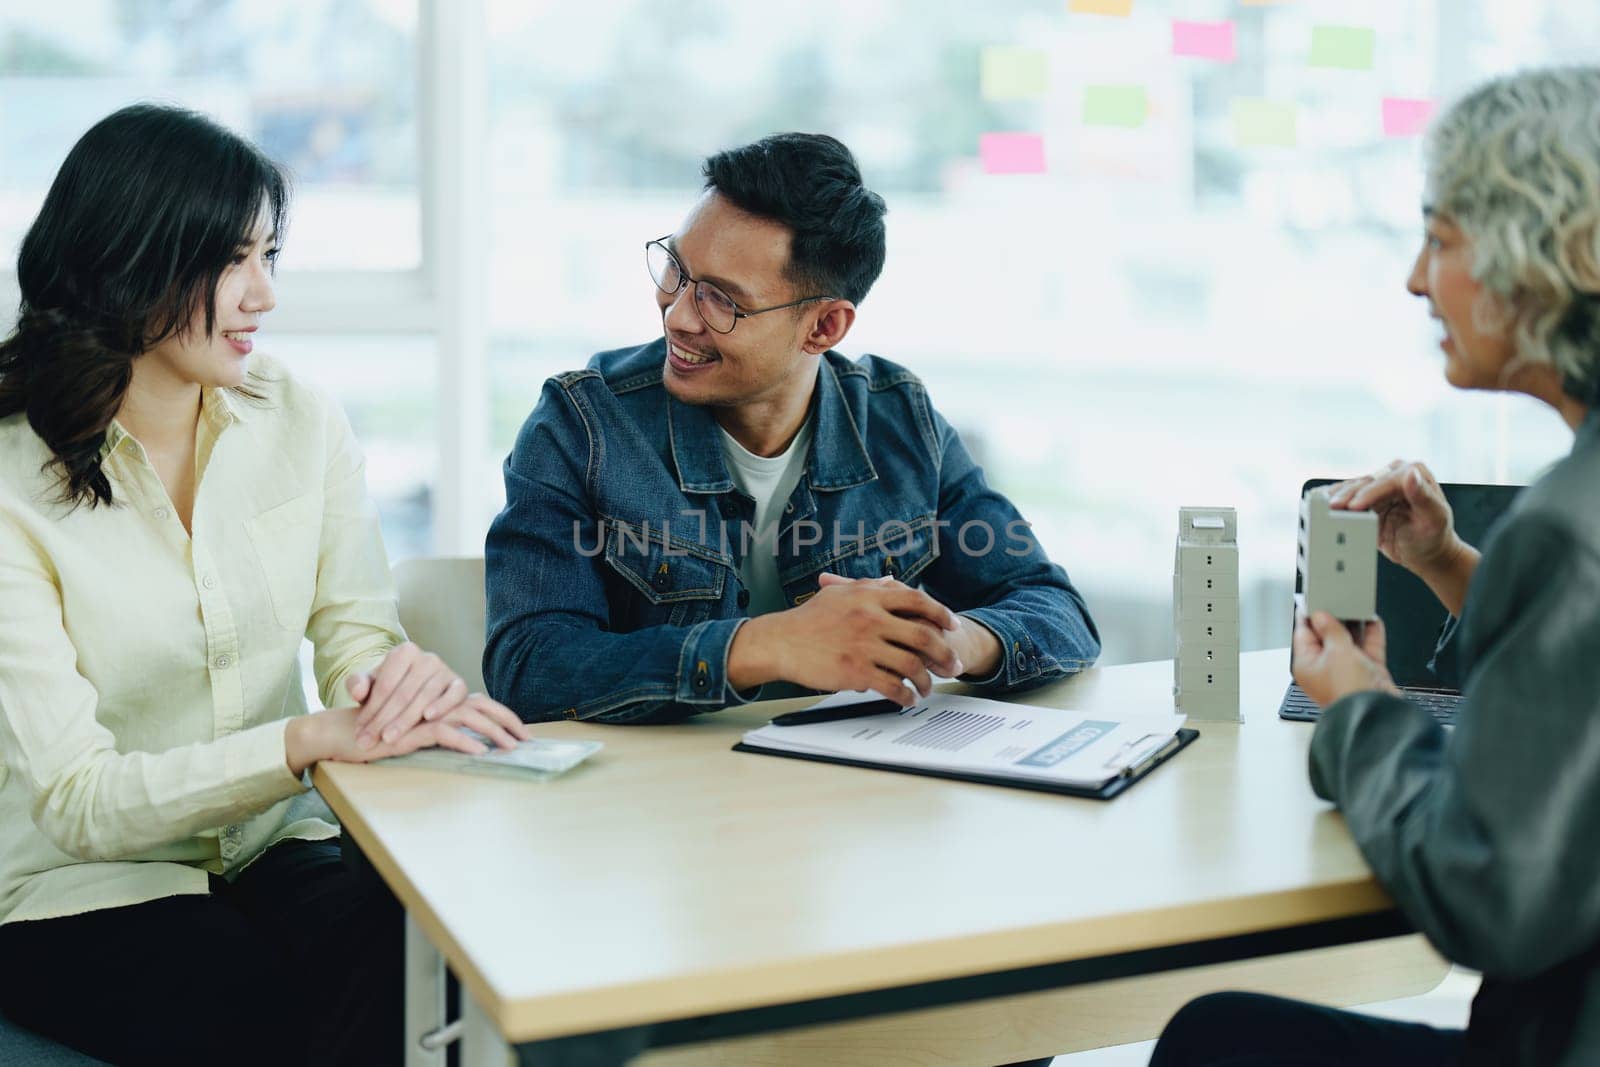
[{"x": 1206, "y": 613}]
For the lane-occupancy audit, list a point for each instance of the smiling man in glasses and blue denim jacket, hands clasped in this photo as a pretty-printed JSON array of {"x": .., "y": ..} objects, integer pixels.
[{"x": 735, "y": 510}]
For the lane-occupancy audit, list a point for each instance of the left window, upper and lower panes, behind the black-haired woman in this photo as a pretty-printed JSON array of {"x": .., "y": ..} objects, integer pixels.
[{"x": 326, "y": 87}]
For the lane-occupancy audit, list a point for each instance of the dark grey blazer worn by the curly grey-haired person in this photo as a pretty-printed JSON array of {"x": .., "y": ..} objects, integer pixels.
[{"x": 1490, "y": 839}]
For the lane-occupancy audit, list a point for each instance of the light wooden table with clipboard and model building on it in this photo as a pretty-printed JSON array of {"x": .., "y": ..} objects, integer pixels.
[{"x": 822, "y": 914}]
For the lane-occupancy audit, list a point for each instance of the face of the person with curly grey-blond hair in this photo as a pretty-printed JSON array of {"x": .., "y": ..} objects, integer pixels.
[{"x": 1442, "y": 274}]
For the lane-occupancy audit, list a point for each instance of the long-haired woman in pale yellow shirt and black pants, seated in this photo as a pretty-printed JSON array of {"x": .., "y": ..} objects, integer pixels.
[{"x": 177, "y": 514}]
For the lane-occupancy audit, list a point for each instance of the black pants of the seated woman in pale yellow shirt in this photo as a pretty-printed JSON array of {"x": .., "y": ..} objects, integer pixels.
[{"x": 302, "y": 961}]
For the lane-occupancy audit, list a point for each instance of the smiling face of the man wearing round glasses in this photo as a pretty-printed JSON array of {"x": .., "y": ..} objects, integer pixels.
[{"x": 764, "y": 356}]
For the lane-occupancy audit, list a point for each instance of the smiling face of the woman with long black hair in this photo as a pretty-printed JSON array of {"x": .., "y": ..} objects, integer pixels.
[{"x": 244, "y": 295}]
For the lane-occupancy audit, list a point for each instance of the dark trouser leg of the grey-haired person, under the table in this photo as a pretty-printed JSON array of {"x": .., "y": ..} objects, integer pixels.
[{"x": 1254, "y": 1031}]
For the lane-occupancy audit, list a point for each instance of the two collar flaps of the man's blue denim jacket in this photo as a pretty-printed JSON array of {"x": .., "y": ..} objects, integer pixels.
[{"x": 839, "y": 457}]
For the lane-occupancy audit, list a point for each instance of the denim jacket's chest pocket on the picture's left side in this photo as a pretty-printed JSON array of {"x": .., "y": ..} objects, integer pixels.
[{"x": 668, "y": 583}]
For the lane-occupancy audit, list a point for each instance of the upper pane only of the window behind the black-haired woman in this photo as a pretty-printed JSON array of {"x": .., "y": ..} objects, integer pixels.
[{"x": 327, "y": 87}]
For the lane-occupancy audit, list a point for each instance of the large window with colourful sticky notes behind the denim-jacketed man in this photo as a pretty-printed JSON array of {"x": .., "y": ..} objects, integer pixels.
[{"x": 1193, "y": 305}]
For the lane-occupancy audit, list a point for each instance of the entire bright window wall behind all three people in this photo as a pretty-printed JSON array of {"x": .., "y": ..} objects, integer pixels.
[{"x": 1199, "y": 302}]
